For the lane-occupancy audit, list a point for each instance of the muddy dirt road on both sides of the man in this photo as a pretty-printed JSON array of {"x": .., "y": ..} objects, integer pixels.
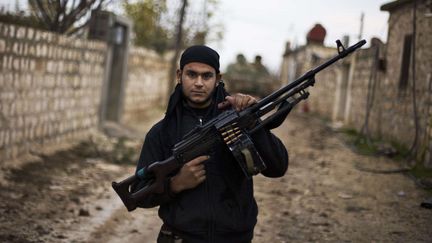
[{"x": 66, "y": 196}]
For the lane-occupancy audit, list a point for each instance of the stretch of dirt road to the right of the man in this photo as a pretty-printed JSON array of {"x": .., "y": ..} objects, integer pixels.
[{"x": 325, "y": 199}]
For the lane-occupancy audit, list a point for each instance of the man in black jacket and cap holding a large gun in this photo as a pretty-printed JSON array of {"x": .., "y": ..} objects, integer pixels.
[{"x": 209, "y": 199}]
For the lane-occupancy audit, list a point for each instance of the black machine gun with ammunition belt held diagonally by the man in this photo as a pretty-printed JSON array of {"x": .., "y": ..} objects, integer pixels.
[{"x": 231, "y": 128}]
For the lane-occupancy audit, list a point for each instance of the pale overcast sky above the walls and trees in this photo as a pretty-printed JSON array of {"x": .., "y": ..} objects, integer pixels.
[{"x": 257, "y": 27}]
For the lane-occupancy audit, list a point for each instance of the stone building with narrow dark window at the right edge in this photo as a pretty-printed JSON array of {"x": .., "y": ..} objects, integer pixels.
[{"x": 398, "y": 104}]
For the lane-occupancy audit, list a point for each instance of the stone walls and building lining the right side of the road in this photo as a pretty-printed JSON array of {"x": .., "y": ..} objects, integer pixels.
[{"x": 368, "y": 82}]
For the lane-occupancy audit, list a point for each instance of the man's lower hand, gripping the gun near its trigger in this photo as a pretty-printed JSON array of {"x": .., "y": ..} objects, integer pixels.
[{"x": 190, "y": 175}]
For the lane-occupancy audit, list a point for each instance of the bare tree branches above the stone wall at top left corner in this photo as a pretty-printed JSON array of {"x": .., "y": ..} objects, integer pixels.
[{"x": 64, "y": 16}]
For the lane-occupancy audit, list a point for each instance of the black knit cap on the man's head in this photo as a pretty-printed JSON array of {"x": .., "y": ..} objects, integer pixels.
[{"x": 202, "y": 54}]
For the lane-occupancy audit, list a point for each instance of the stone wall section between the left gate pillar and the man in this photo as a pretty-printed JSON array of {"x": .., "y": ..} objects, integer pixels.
[{"x": 146, "y": 84}]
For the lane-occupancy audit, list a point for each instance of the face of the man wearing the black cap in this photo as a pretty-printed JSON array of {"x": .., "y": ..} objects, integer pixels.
[{"x": 198, "y": 81}]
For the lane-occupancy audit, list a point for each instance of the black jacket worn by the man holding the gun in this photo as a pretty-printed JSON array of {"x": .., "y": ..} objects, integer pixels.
[{"x": 222, "y": 208}]
